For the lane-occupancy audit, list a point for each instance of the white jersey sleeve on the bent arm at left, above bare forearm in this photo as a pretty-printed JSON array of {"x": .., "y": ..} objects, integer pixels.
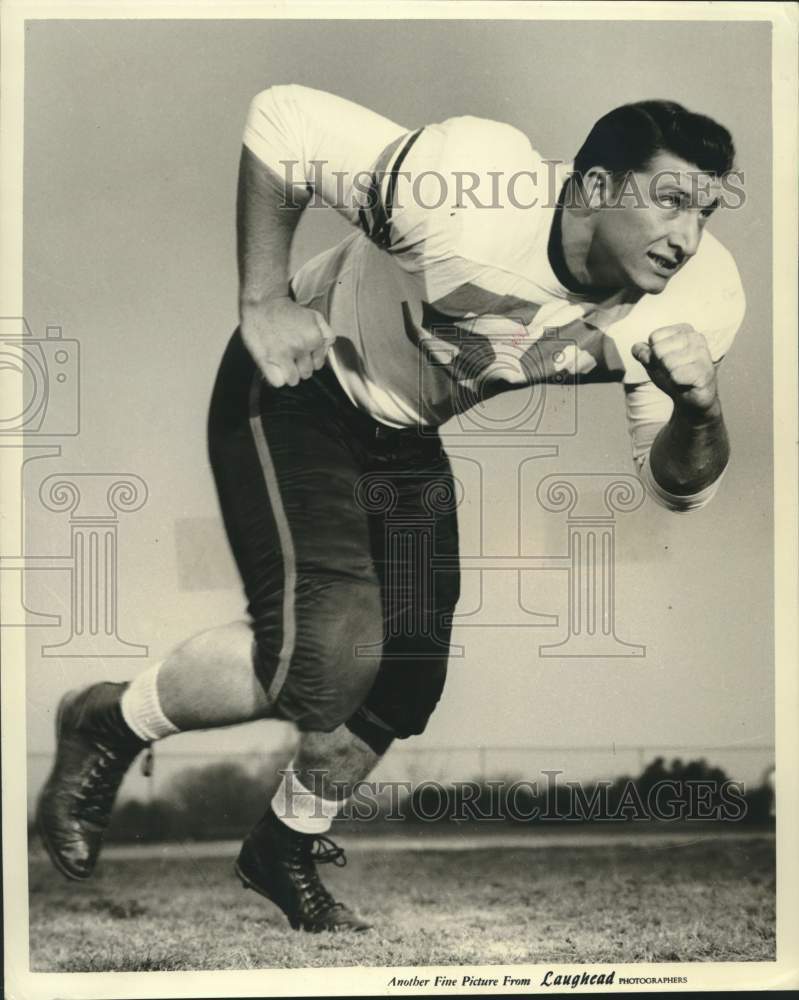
[{"x": 313, "y": 140}]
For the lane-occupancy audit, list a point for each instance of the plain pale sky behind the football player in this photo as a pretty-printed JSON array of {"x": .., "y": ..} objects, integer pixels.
[{"x": 132, "y": 139}]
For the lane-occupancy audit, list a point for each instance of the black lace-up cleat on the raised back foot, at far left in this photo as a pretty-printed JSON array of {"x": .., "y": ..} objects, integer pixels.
[{"x": 95, "y": 747}]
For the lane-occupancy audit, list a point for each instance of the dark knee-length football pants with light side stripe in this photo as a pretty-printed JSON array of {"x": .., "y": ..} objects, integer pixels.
[{"x": 345, "y": 535}]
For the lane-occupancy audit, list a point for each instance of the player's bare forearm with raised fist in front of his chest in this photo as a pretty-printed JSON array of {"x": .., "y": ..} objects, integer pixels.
[{"x": 692, "y": 450}]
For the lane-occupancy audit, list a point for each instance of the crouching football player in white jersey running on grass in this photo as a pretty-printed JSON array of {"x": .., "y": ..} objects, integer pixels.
[{"x": 474, "y": 267}]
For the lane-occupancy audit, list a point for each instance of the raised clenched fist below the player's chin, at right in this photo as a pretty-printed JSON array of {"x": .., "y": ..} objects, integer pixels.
[{"x": 678, "y": 361}]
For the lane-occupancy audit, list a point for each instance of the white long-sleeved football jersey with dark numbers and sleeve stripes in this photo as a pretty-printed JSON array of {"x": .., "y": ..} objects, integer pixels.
[{"x": 446, "y": 288}]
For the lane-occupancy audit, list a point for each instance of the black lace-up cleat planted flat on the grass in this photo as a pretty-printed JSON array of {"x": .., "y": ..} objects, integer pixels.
[{"x": 280, "y": 864}]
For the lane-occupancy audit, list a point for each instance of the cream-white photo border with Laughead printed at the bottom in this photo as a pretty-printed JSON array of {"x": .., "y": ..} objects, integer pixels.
[{"x": 21, "y": 984}]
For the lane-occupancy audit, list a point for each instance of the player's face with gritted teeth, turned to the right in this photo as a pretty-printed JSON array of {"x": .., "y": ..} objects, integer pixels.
[{"x": 651, "y": 224}]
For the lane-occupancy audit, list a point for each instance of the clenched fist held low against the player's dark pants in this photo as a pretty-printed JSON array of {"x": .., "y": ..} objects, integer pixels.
[{"x": 288, "y": 341}]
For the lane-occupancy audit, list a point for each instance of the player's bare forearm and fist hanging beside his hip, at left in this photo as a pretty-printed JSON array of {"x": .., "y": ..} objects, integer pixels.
[{"x": 288, "y": 341}]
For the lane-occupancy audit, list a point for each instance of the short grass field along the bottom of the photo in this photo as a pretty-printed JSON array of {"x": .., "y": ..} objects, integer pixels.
[{"x": 707, "y": 901}]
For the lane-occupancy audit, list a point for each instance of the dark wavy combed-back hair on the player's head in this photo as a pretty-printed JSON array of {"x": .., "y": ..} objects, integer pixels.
[{"x": 627, "y": 138}]
